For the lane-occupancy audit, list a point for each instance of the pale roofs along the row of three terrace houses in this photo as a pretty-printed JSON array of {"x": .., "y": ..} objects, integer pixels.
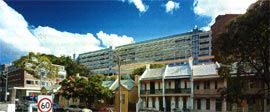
[{"x": 182, "y": 71}]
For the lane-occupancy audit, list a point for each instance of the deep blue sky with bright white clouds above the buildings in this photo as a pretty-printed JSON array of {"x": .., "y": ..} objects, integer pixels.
[{"x": 65, "y": 27}]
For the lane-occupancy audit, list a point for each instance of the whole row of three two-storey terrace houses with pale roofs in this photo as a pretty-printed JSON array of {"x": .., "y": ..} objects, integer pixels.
[{"x": 171, "y": 89}]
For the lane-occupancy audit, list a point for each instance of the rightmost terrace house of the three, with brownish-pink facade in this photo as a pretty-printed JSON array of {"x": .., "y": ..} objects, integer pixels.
[{"x": 207, "y": 89}]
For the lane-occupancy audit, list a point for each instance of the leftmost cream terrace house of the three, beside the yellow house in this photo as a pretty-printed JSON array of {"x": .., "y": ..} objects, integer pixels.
[{"x": 151, "y": 89}]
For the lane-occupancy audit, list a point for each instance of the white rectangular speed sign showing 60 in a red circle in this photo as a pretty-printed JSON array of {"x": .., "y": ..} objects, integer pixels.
[{"x": 45, "y": 103}]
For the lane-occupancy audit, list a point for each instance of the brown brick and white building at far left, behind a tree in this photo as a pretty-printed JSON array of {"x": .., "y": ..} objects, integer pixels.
[{"x": 20, "y": 83}]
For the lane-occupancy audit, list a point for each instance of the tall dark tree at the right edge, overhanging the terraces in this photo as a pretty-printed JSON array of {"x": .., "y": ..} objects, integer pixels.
[{"x": 244, "y": 49}]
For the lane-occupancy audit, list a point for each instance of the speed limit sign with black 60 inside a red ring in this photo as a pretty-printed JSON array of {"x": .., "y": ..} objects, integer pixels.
[{"x": 45, "y": 105}]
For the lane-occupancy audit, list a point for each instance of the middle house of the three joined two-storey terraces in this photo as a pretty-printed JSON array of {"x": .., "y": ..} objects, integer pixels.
[{"x": 178, "y": 92}]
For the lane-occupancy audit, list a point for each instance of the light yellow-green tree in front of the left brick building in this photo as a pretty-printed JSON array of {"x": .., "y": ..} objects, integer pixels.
[{"x": 34, "y": 64}]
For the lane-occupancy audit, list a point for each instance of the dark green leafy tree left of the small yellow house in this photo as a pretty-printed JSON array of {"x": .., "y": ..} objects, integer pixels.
[{"x": 90, "y": 89}]
